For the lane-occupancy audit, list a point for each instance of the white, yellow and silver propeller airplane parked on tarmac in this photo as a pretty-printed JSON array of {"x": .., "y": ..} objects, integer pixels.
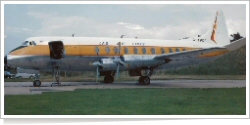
[{"x": 109, "y": 56}]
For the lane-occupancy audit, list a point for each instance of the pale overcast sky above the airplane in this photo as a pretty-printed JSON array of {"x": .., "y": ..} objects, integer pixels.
[{"x": 143, "y": 21}]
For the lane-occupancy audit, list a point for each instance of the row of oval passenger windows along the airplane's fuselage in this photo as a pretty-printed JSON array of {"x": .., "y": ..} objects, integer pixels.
[{"x": 144, "y": 50}]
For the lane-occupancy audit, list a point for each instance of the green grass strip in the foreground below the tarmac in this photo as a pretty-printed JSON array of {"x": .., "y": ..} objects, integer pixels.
[{"x": 130, "y": 102}]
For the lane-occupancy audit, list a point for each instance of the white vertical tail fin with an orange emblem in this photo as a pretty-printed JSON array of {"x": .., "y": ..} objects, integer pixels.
[{"x": 218, "y": 33}]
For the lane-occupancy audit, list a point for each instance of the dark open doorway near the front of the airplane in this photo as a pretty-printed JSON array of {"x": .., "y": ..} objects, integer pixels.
[{"x": 57, "y": 50}]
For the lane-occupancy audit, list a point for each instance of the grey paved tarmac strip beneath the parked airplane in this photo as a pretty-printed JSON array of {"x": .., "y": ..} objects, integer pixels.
[{"x": 24, "y": 88}]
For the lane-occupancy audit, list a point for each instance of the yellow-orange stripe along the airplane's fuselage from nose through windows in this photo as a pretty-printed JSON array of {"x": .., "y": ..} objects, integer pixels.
[{"x": 89, "y": 50}]
